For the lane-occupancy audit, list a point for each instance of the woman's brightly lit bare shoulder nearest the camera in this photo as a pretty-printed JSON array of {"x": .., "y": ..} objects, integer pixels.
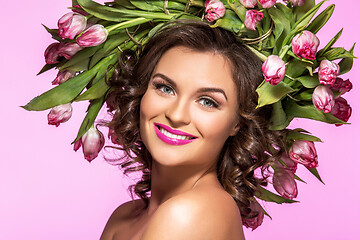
[{"x": 197, "y": 214}]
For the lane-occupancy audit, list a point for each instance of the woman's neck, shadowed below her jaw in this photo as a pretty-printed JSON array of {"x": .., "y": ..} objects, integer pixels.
[{"x": 170, "y": 181}]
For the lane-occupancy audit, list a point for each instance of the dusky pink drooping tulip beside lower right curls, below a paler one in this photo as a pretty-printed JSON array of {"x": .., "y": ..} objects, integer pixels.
[{"x": 284, "y": 183}]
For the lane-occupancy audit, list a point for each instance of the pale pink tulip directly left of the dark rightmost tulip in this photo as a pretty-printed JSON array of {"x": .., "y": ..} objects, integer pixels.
[{"x": 323, "y": 98}]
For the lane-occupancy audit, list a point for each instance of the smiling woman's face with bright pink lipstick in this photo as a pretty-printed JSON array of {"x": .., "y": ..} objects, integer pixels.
[{"x": 189, "y": 108}]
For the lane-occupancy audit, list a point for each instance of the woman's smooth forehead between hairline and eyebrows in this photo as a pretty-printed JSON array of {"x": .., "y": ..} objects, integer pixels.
[{"x": 196, "y": 68}]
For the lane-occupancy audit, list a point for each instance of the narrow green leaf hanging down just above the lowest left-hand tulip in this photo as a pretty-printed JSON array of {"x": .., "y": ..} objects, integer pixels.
[{"x": 90, "y": 117}]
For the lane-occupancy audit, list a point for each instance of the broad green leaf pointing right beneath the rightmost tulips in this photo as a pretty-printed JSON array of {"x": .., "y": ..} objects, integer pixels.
[{"x": 292, "y": 109}]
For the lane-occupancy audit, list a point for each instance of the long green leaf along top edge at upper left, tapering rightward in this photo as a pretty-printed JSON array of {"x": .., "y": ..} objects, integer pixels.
[{"x": 119, "y": 15}]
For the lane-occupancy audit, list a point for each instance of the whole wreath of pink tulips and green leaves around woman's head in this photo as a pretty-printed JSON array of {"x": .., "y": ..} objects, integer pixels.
[{"x": 300, "y": 80}]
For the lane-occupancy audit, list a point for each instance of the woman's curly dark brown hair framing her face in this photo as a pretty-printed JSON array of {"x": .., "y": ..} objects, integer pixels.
[{"x": 242, "y": 153}]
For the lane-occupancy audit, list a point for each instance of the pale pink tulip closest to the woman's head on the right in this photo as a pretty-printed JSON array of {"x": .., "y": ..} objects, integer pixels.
[{"x": 274, "y": 69}]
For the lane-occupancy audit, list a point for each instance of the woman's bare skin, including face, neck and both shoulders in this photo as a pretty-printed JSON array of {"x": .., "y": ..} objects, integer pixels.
[{"x": 192, "y": 92}]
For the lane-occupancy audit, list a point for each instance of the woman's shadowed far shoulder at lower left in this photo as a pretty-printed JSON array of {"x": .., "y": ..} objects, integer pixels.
[{"x": 120, "y": 217}]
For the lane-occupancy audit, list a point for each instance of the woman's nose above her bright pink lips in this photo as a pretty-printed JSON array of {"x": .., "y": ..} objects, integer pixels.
[{"x": 178, "y": 113}]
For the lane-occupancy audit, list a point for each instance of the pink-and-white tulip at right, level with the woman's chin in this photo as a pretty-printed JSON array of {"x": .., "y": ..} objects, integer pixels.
[{"x": 304, "y": 152}]
